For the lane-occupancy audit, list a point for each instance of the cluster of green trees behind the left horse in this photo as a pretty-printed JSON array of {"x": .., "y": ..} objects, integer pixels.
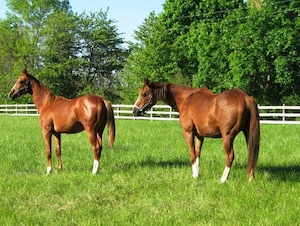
[{"x": 69, "y": 53}]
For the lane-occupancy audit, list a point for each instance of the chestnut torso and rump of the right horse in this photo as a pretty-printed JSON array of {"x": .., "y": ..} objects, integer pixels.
[{"x": 212, "y": 115}]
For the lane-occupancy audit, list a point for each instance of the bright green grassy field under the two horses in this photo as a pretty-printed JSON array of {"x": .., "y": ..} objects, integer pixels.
[{"x": 146, "y": 179}]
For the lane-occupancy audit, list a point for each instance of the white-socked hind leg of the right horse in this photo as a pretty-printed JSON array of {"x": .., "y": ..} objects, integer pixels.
[{"x": 228, "y": 147}]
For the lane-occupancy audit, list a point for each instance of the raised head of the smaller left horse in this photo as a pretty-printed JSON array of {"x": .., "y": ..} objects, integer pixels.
[{"x": 21, "y": 87}]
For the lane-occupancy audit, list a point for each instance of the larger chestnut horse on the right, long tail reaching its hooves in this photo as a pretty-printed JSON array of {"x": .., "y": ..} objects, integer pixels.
[{"x": 205, "y": 114}]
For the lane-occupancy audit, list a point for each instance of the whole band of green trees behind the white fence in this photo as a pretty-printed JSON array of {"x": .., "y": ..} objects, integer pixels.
[{"x": 217, "y": 44}]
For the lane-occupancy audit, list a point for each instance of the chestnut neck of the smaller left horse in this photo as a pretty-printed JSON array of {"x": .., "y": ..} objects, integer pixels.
[{"x": 40, "y": 94}]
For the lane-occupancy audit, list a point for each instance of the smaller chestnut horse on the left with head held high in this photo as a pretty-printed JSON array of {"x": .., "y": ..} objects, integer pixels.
[{"x": 60, "y": 115}]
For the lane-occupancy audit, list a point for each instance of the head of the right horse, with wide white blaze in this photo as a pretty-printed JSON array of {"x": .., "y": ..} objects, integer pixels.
[{"x": 145, "y": 100}]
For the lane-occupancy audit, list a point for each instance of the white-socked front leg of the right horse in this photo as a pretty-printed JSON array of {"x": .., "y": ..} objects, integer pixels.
[{"x": 189, "y": 138}]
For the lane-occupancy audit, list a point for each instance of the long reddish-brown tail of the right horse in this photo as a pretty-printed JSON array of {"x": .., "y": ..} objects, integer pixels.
[{"x": 252, "y": 137}]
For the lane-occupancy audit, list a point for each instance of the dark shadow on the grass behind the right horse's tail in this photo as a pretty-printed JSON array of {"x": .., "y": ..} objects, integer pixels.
[{"x": 276, "y": 173}]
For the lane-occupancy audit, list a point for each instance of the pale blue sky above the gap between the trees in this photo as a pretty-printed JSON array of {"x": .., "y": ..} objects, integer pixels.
[{"x": 128, "y": 14}]
